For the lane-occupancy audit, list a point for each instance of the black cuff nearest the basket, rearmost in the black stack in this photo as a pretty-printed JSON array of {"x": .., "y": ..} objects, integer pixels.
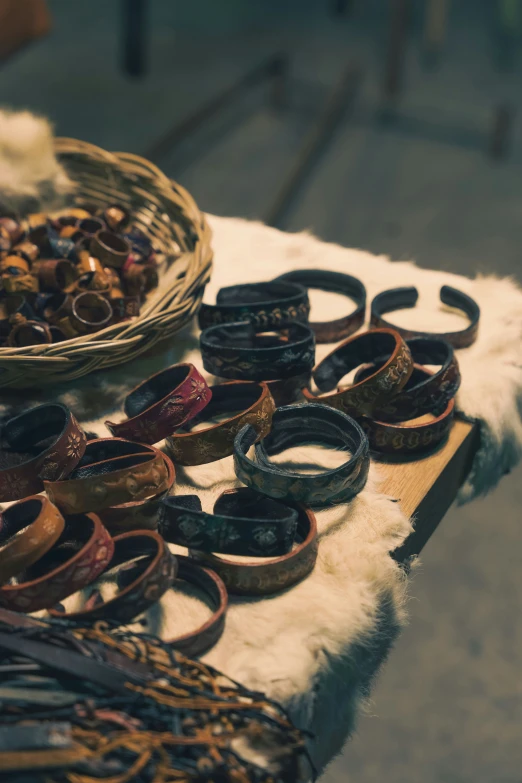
[{"x": 271, "y": 304}]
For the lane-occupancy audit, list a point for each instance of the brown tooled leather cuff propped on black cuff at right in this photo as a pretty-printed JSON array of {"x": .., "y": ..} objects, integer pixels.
[{"x": 374, "y": 391}]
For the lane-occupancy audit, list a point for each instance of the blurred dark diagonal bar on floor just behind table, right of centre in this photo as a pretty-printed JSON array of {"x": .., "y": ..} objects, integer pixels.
[{"x": 337, "y": 103}]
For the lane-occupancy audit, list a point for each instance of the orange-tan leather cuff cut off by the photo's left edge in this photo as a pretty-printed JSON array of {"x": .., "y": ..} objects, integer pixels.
[{"x": 28, "y": 529}]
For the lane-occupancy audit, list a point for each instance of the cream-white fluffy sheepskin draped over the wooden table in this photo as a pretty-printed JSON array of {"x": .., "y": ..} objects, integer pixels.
[{"x": 316, "y": 647}]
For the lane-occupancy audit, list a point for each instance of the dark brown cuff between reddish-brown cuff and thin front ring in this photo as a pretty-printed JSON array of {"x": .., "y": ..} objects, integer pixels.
[{"x": 150, "y": 571}]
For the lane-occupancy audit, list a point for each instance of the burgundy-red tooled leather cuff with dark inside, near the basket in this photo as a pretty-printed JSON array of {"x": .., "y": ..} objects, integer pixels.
[{"x": 162, "y": 403}]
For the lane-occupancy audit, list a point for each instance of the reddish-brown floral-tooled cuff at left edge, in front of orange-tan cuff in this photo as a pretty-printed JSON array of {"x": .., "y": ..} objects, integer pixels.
[{"x": 80, "y": 555}]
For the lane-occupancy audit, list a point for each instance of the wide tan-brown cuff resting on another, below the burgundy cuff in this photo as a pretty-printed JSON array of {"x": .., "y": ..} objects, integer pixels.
[{"x": 113, "y": 471}]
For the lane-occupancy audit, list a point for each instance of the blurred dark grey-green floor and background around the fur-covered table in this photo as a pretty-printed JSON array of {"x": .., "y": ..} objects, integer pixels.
[{"x": 390, "y": 125}]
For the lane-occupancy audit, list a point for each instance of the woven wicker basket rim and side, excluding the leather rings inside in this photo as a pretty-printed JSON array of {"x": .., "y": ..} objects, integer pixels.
[{"x": 169, "y": 215}]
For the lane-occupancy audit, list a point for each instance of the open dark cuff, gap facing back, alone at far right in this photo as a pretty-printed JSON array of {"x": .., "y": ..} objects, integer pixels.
[{"x": 401, "y": 298}]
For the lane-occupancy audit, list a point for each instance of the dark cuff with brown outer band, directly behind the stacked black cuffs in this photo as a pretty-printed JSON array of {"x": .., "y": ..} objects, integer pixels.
[{"x": 336, "y": 283}]
